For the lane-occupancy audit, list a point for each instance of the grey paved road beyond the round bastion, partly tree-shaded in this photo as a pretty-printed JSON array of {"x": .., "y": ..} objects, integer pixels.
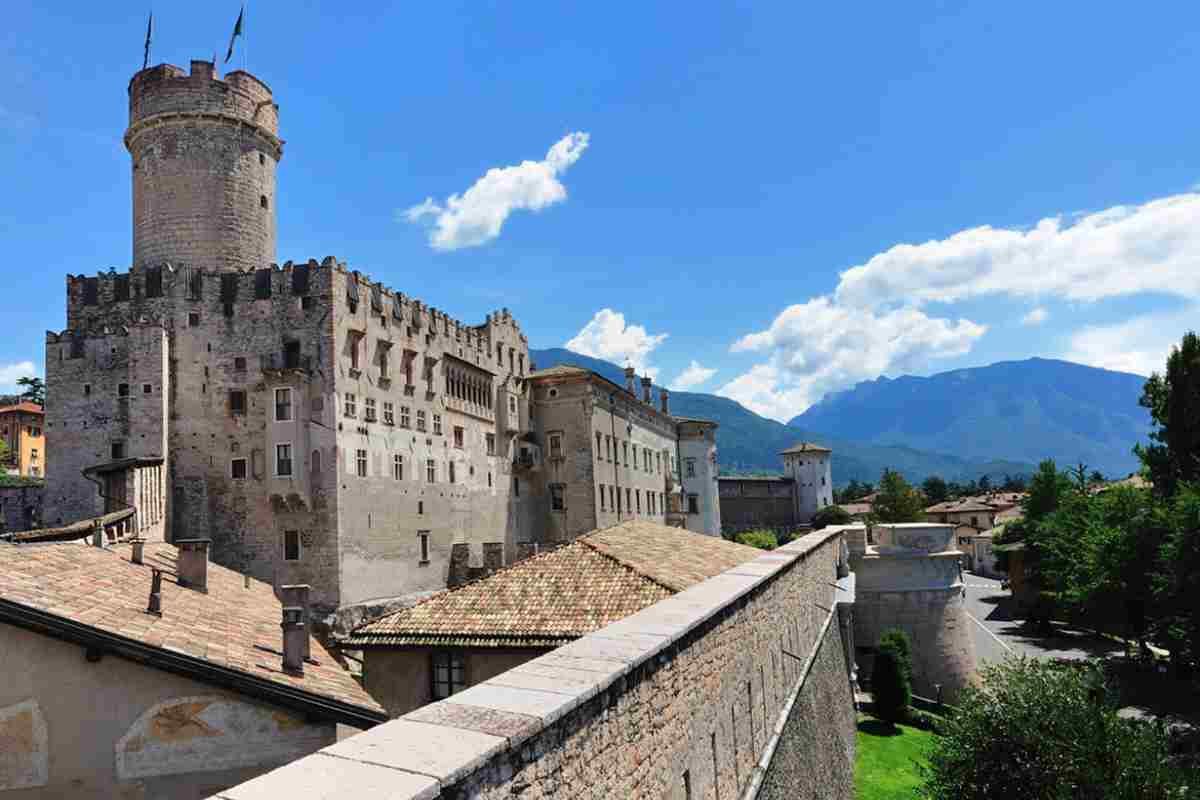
[{"x": 999, "y": 635}]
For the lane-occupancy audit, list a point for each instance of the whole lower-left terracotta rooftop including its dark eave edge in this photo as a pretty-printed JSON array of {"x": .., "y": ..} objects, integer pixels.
[{"x": 229, "y": 636}]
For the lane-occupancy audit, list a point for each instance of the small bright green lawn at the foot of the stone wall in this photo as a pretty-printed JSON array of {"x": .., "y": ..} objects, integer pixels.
[{"x": 886, "y": 767}]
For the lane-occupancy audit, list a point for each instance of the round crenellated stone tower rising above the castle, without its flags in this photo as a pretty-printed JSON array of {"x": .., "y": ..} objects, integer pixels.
[{"x": 205, "y": 154}]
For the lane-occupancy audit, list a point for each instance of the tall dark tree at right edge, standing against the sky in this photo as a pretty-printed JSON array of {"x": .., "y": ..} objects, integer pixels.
[{"x": 1174, "y": 402}]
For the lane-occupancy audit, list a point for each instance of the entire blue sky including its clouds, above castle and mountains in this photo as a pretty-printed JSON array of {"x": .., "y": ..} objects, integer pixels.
[{"x": 770, "y": 202}]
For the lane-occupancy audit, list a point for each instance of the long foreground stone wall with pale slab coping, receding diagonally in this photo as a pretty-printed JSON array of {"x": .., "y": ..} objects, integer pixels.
[{"x": 679, "y": 701}]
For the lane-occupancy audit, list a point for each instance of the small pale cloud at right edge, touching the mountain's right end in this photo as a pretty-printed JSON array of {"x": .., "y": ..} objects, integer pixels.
[{"x": 1139, "y": 345}]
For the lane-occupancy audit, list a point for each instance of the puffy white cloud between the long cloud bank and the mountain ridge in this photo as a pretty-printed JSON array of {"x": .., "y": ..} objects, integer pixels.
[{"x": 823, "y": 346}]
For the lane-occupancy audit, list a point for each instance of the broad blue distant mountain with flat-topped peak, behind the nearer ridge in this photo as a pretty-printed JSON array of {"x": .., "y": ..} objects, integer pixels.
[{"x": 1018, "y": 411}]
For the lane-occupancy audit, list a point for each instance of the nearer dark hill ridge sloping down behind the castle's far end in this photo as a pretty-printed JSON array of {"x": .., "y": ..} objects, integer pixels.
[{"x": 748, "y": 443}]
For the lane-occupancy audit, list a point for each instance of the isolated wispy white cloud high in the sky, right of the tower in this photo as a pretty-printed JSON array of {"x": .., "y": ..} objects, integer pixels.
[{"x": 477, "y": 216}]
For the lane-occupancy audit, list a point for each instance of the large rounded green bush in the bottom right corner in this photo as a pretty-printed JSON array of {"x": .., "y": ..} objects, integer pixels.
[{"x": 1041, "y": 731}]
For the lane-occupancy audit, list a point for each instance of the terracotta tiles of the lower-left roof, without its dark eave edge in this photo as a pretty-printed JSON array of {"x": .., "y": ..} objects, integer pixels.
[{"x": 231, "y": 627}]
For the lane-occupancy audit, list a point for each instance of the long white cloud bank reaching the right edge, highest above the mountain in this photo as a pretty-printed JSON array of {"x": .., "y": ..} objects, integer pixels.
[{"x": 1120, "y": 251}]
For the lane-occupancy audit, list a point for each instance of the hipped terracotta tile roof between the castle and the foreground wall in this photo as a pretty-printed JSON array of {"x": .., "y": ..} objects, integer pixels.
[{"x": 555, "y": 598}]
